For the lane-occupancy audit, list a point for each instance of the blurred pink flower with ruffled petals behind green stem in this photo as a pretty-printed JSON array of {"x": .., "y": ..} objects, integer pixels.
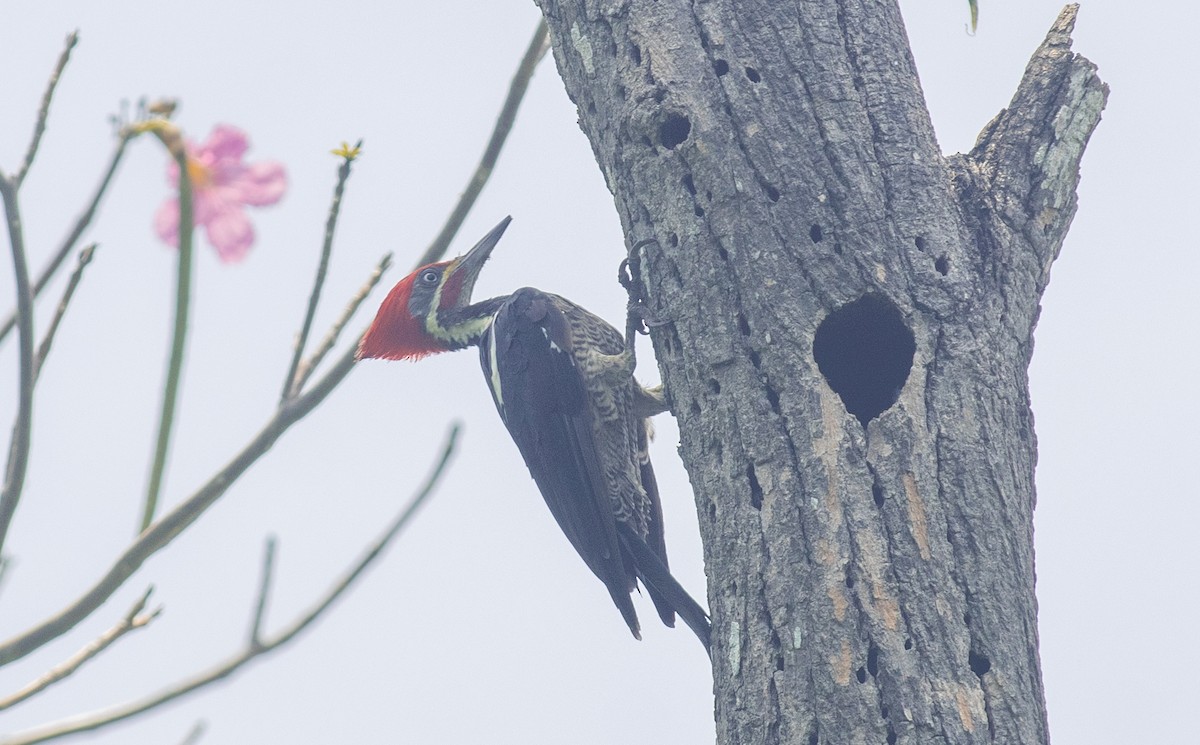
[{"x": 223, "y": 185}]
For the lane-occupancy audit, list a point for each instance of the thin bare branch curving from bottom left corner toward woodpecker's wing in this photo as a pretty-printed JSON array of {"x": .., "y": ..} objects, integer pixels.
[{"x": 219, "y": 672}]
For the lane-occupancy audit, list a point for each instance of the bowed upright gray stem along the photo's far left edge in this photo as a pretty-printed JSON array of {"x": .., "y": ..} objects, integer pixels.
[{"x": 19, "y": 449}]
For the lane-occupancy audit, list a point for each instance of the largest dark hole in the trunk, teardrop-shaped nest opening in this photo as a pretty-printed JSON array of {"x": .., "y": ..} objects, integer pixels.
[{"x": 865, "y": 351}]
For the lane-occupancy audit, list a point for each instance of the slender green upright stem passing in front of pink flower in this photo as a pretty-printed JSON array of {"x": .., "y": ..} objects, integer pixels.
[{"x": 176, "y": 365}]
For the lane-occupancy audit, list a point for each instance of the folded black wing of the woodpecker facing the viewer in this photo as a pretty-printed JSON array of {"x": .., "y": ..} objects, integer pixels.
[{"x": 538, "y": 389}]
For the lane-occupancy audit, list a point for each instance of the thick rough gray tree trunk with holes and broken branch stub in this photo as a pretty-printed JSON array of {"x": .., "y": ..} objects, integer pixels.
[{"x": 869, "y": 551}]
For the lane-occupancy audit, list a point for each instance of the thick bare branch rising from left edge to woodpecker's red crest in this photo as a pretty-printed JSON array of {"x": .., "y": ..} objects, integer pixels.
[{"x": 171, "y": 525}]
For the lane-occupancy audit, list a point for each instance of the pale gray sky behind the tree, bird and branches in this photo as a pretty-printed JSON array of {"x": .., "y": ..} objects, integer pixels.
[{"x": 483, "y": 626}]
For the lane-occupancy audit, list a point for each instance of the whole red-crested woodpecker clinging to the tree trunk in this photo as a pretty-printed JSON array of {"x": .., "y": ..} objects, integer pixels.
[{"x": 563, "y": 382}]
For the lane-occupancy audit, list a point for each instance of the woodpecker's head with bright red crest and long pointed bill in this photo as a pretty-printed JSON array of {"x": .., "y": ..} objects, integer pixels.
[{"x": 417, "y": 319}]
